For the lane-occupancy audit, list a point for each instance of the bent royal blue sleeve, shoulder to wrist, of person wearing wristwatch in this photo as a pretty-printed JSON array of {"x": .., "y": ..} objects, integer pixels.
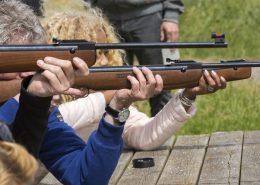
[{"x": 74, "y": 162}]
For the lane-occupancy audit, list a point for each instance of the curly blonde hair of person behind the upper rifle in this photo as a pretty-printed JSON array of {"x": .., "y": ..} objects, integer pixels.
[{"x": 90, "y": 26}]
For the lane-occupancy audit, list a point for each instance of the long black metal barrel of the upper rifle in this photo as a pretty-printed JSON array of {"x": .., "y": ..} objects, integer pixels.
[{"x": 85, "y": 45}]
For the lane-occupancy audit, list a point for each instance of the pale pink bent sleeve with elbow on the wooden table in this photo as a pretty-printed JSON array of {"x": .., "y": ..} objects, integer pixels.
[{"x": 144, "y": 133}]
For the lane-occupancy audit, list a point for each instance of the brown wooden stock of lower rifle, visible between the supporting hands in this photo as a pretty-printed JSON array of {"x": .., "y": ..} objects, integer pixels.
[{"x": 172, "y": 79}]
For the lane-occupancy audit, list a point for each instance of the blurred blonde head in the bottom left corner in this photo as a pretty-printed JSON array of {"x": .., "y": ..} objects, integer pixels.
[{"x": 17, "y": 166}]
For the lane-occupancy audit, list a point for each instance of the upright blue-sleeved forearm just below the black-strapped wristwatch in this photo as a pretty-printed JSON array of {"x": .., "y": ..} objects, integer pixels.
[{"x": 109, "y": 145}]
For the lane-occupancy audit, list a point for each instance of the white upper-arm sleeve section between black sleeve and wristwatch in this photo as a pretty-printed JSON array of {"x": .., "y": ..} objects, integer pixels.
[{"x": 83, "y": 111}]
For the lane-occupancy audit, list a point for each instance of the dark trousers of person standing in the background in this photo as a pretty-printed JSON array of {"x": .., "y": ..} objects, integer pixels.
[{"x": 144, "y": 29}]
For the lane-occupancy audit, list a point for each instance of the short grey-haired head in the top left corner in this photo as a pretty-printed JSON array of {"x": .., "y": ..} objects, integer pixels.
[{"x": 19, "y": 24}]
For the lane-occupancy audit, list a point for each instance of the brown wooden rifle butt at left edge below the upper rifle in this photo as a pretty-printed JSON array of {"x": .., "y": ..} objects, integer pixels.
[{"x": 9, "y": 89}]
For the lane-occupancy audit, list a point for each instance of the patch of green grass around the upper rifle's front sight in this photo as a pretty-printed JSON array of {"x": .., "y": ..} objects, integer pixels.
[{"x": 239, "y": 19}]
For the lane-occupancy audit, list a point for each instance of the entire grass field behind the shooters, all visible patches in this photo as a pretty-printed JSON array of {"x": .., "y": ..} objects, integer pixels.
[{"x": 237, "y": 107}]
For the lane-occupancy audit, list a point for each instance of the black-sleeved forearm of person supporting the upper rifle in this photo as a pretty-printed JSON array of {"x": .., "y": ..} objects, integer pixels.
[{"x": 31, "y": 120}]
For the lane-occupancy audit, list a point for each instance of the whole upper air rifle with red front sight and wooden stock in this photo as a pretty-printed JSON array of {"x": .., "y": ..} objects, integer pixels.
[{"x": 22, "y": 58}]
